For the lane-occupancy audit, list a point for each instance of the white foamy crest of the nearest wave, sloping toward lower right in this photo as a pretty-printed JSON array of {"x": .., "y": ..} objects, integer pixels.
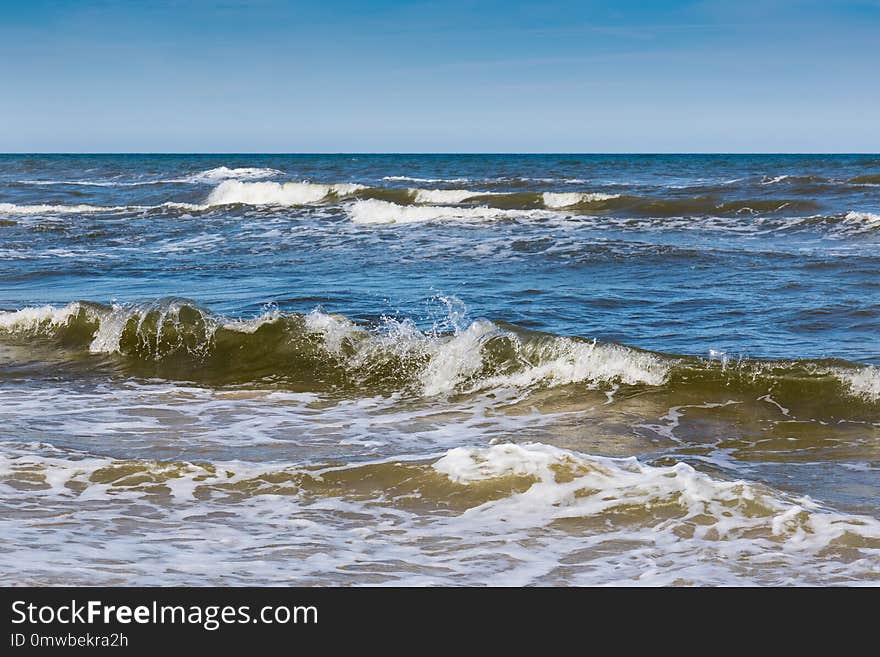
[{"x": 680, "y": 503}]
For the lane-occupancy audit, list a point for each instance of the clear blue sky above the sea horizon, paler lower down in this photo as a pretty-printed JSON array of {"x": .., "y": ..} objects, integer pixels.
[{"x": 443, "y": 76}]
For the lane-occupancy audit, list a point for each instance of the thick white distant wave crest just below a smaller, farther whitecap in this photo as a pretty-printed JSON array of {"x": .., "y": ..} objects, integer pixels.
[{"x": 272, "y": 193}]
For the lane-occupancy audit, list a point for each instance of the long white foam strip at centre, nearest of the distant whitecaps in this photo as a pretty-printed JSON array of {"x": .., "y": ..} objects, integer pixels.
[{"x": 374, "y": 211}]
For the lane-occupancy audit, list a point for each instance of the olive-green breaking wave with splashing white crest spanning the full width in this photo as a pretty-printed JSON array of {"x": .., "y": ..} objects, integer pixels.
[{"x": 177, "y": 339}]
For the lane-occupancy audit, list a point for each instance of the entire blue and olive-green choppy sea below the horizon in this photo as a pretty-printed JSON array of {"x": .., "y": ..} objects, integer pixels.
[{"x": 438, "y": 369}]
